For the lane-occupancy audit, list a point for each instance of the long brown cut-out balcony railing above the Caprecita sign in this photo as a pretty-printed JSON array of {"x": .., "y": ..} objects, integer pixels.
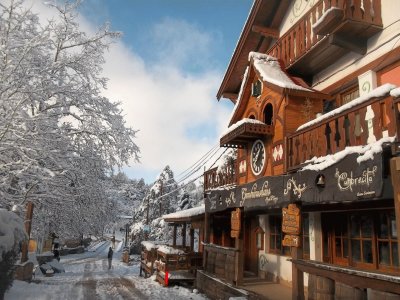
[{"x": 346, "y": 128}]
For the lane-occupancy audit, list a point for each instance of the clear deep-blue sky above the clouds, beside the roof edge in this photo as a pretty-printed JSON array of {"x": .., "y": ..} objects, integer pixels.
[{"x": 221, "y": 19}]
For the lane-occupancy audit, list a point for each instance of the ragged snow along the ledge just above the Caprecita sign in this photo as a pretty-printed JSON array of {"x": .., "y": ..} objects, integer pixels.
[{"x": 366, "y": 152}]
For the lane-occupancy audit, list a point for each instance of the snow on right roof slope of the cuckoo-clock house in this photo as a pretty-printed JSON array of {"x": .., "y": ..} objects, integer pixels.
[{"x": 271, "y": 71}]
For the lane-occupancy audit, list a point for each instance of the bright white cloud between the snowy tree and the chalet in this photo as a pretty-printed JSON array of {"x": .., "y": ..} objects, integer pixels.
[{"x": 164, "y": 102}]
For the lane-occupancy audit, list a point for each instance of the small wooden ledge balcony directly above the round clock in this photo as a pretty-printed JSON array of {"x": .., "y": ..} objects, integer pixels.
[{"x": 245, "y": 132}]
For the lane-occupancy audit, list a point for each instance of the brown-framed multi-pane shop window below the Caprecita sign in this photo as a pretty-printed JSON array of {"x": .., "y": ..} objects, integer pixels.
[{"x": 366, "y": 240}]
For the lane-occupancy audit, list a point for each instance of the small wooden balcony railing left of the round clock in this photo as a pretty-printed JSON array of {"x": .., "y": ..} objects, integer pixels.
[{"x": 214, "y": 179}]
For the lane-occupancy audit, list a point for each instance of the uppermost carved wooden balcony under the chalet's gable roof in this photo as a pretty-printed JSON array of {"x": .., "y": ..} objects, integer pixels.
[{"x": 331, "y": 29}]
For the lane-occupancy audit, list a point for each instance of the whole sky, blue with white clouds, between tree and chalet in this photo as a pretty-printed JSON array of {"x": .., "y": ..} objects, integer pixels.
[{"x": 166, "y": 70}]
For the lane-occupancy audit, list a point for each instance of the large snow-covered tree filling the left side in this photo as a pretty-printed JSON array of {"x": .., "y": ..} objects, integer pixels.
[{"x": 59, "y": 137}]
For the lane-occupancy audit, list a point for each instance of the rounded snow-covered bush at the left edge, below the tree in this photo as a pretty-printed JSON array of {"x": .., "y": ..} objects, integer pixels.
[{"x": 12, "y": 230}]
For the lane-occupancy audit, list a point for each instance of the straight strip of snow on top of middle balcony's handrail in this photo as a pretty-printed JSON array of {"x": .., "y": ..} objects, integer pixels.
[{"x": 378, "y": 92}]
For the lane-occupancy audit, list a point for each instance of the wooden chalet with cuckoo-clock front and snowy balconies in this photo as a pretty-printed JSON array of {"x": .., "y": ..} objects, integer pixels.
[{"x": 314, "y": 195}]
